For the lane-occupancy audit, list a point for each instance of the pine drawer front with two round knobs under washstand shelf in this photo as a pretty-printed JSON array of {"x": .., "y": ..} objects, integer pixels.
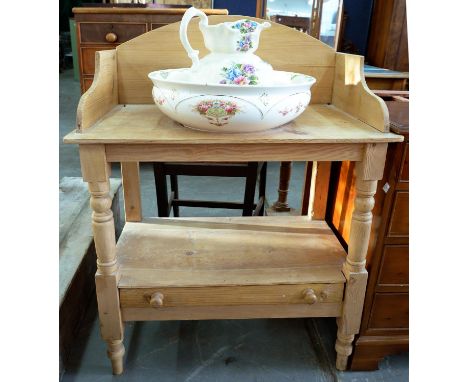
[{"x": 240, "y": 295}]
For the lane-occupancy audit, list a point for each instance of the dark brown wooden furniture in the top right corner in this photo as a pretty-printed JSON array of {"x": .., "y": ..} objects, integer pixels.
[{"x": 388, "y": 38}]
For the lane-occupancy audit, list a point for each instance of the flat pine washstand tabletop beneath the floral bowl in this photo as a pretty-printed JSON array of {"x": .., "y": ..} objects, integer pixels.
[{"x": 146, "y": 124}]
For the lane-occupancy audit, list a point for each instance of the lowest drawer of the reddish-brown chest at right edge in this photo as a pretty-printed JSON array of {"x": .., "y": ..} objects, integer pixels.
[{"x": 390, "y": 310}]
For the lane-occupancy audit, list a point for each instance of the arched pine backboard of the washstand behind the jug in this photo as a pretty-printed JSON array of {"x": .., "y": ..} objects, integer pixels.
[{"x": 283, "y": 47}]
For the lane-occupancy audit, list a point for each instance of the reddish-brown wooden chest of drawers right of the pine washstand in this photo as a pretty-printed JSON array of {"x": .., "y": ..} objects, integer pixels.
[{"x": 384, "y": 327}]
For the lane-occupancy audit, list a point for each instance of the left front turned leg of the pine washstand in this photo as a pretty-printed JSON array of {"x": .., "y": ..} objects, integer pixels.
[{"x": 96, "y": 172}]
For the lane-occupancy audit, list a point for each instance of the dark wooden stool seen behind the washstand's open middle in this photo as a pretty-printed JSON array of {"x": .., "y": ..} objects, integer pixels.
[{"x": 250, "y": 171}]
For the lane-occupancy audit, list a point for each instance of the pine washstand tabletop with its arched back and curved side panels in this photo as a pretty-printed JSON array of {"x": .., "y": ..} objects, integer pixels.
[{"x": 119, "y": 109}]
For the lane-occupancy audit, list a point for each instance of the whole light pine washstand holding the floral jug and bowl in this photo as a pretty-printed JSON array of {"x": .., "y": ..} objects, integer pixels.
[{"x": 272, "y": 266}]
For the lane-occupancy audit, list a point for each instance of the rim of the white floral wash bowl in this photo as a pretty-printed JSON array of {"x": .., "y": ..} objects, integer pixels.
[{"x": 309, "y": 81}]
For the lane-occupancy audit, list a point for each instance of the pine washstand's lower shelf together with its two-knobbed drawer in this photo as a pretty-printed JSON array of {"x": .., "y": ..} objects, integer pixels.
[{"x": 218, "y": 268}]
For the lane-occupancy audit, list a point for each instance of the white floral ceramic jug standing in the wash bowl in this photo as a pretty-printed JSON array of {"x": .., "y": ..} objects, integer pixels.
[{"x": 232, "y": 46}]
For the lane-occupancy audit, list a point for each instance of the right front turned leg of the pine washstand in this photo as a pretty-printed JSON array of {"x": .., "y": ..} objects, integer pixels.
[{"x": 367, "y": 173}]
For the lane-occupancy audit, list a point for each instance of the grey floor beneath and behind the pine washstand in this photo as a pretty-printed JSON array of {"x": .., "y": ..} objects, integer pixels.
[{"x": 212, "y": 350}]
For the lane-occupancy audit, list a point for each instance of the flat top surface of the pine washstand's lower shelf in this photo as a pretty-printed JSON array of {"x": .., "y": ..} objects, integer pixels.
[{"x": 198, "y": 252}]
